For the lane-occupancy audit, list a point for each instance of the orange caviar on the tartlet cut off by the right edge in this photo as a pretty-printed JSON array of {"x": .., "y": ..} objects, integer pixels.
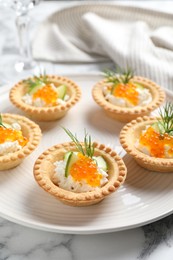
[{"x": 156, "y": 142}]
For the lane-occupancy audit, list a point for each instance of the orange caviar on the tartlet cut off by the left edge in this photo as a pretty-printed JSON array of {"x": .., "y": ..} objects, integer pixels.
[{"x": 11, "y": 135}]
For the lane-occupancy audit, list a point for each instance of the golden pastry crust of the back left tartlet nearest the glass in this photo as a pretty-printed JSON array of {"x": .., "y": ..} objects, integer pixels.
[{"x": 46, "y": 113}]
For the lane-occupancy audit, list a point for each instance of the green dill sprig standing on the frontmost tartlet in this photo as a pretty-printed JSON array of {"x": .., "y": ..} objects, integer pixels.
[{"x": 89, "y": 148}]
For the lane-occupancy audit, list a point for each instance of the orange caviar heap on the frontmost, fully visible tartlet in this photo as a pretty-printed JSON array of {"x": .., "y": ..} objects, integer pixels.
[{"x": 86, "y": 169}]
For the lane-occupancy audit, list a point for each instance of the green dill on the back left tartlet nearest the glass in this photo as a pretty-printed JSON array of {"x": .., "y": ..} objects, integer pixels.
[{"x": 36, "y": 81}]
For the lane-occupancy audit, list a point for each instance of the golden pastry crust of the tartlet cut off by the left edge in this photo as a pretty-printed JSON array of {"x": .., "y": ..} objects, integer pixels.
[{"x": 30, "y": 130}]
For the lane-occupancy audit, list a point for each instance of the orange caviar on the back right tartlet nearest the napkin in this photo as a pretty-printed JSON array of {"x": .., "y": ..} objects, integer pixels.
[{"x": 127, "y": 91}]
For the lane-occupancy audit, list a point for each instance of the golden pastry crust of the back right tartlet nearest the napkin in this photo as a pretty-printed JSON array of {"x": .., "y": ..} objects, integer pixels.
[{"x": 125, "y": 114}]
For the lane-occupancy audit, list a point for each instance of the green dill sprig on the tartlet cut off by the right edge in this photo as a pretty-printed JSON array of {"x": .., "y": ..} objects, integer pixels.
[{"x": 166, "y": 119}]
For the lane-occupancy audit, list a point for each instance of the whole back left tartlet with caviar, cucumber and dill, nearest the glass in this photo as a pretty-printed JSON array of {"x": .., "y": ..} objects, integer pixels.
[{"x": 45, "y": 97}]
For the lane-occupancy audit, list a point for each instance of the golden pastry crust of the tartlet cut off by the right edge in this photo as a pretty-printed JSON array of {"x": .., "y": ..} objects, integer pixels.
[{"x": 130, "y": 134}]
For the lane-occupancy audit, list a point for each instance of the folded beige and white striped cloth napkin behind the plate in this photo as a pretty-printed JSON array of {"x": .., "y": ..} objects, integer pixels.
[{"x": 131, "y": 37}]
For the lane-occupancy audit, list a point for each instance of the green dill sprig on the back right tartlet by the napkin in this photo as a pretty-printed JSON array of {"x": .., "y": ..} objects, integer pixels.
[{"x": 119, "y": 76}]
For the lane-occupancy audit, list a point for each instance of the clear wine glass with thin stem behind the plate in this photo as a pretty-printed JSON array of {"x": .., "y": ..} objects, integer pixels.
[{"x": 24, "y": 61}]
